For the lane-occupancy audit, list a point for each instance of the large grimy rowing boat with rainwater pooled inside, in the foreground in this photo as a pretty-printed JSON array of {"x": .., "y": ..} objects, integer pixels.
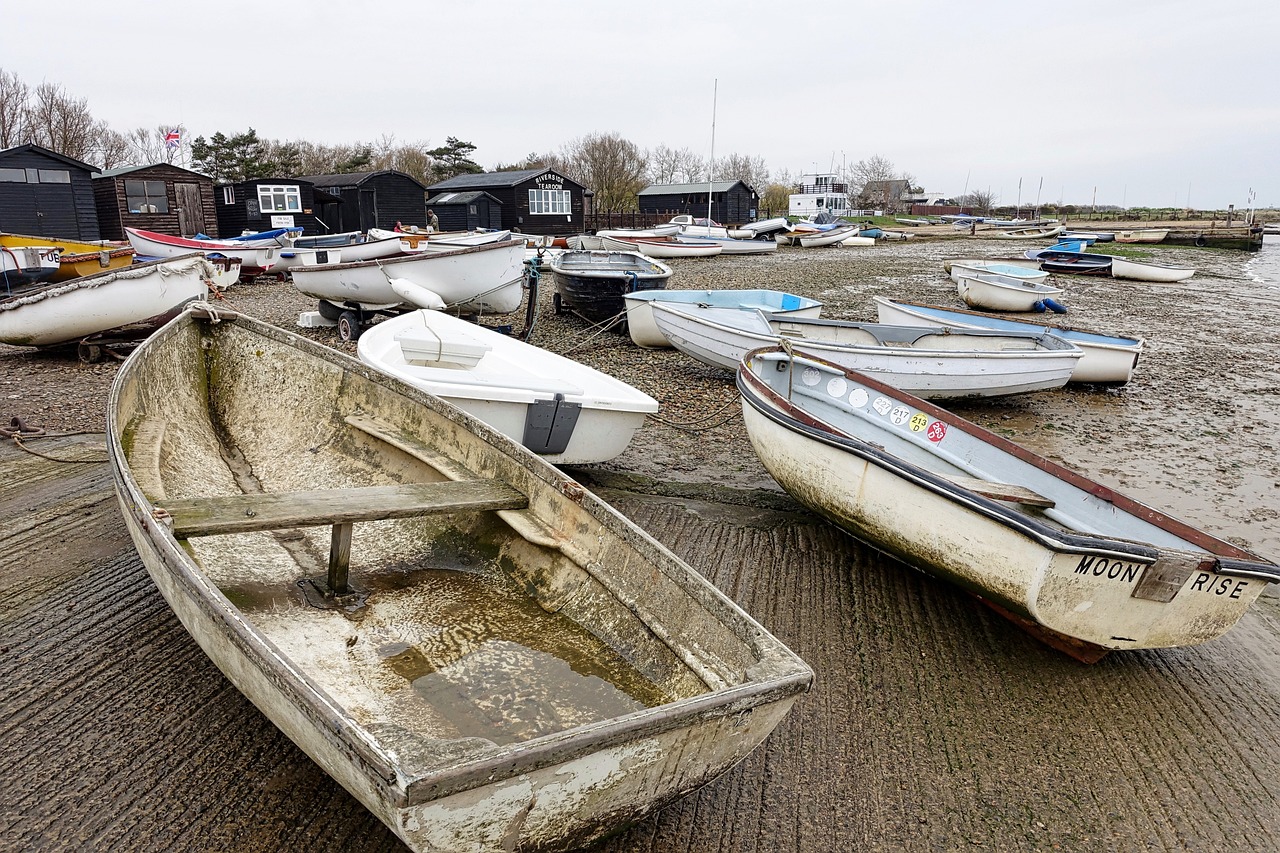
[{"x": 478, "y": 649}]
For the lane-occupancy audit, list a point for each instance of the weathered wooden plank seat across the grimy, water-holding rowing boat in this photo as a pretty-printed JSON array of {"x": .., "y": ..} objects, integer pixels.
[{"x": 267, "y": 512}]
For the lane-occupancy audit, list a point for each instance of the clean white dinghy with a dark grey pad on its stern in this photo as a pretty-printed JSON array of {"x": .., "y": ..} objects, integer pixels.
[{"x": 564, "y": 410}]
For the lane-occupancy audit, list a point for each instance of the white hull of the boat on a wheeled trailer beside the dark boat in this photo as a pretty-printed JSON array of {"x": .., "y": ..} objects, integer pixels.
[{"x": 481, "y": 279}]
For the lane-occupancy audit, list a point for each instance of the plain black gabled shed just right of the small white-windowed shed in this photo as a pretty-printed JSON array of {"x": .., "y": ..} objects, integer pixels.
[{"x": 364, "y": 200}]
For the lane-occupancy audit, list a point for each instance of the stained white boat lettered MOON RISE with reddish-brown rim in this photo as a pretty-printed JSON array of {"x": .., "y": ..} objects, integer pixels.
[{"x": 1089, "y": 568}]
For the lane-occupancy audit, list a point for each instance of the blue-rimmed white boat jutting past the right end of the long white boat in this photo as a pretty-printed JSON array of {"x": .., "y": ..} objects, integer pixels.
[{"x": 1108, "y": 358}]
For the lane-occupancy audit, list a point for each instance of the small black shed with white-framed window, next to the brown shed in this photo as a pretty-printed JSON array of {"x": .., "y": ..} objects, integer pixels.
[{"x": 264, "y": 204}]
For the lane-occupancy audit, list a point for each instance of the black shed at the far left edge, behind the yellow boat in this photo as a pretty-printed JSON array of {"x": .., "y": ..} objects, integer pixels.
[{"x": 45, "y": 194}]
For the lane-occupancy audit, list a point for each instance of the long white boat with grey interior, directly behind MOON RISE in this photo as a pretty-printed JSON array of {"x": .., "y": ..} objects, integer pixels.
[{"x": 927, "y": 362}]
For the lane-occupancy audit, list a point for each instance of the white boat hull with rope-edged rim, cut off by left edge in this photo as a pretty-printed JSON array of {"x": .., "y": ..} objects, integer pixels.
[{"x": 116, "y": 300}]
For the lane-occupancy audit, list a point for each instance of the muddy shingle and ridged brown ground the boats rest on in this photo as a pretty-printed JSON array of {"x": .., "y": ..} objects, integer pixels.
[{"x": 934, "y": 724}]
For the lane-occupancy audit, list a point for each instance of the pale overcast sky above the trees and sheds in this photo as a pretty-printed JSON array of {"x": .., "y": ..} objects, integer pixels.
[{"x": 1127, "y": 102}]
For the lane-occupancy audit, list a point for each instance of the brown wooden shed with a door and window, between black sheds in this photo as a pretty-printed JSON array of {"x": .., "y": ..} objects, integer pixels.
[{"x": 159, "y": 198}]
